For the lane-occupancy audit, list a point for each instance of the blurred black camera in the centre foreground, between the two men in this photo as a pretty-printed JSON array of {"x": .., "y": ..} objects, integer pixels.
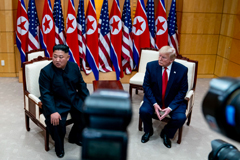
[{"x": 107, "y": 113}]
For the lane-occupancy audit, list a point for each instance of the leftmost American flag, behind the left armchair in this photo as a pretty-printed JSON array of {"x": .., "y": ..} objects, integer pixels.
[{"x": 33, "y": 34}]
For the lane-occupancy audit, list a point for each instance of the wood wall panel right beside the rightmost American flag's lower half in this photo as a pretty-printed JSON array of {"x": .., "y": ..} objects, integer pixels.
[{"x": 198, "y": 44}]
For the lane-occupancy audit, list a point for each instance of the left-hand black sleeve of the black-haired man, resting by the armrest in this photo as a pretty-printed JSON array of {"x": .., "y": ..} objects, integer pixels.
[{"x": 45, "y": 91}]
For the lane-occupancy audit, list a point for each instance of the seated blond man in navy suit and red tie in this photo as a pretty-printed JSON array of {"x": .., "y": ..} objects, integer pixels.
[{"x": 165, "y": 86}]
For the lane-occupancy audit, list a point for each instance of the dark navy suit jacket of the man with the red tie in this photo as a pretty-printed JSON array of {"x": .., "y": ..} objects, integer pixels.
[{"x": 176, "y": 88}]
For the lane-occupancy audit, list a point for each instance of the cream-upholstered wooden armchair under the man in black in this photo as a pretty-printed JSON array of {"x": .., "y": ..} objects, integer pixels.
[{"x": 32, "y": 103}]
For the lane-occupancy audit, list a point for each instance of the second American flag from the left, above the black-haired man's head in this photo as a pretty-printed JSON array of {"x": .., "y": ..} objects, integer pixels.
[{"x": 59, "y": 23}]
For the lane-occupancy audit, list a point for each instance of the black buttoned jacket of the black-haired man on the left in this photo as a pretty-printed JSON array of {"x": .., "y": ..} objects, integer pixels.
[{"x": 61, "y": 89}]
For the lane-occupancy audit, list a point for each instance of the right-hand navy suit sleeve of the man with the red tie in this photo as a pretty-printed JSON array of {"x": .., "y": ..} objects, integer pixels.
[{"x": 179, "y": 98}]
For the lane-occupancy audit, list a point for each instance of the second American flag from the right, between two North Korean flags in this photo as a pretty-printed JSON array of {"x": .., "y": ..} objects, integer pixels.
[{"x": 151, "y": 22}]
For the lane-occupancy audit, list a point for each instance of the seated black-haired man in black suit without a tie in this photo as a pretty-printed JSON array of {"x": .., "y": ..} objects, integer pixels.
[{"x": 62, "y": 91}]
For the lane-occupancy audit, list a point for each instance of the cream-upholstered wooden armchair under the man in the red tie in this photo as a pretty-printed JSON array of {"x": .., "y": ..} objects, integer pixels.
[{"x": 189, "y": 98}]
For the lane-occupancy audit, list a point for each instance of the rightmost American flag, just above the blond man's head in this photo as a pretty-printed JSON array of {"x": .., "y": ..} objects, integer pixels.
[{"x": 172, "y": 27}]
